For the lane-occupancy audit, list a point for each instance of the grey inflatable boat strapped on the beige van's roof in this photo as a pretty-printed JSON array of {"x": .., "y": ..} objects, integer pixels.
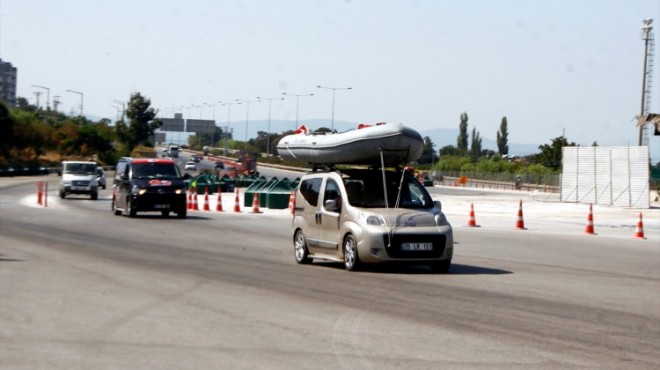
[{"x": 368, "y": 144}]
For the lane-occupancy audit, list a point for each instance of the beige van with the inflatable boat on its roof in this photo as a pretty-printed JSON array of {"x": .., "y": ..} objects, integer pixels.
[{"x": 345, "y": 216}]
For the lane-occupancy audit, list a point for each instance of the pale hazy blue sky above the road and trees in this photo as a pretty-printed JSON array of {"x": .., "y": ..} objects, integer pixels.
[{"x": 552, "y": 67}]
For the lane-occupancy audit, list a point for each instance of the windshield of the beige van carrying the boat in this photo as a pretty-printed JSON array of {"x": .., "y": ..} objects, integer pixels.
[{"x": 365, "y": 189}]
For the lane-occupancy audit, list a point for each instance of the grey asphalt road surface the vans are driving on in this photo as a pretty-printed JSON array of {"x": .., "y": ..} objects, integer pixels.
[{"x": 81, "y": 288}]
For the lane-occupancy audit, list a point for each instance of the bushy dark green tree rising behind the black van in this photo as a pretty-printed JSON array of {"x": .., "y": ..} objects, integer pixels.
[{"x": 142, "y": 122}]
